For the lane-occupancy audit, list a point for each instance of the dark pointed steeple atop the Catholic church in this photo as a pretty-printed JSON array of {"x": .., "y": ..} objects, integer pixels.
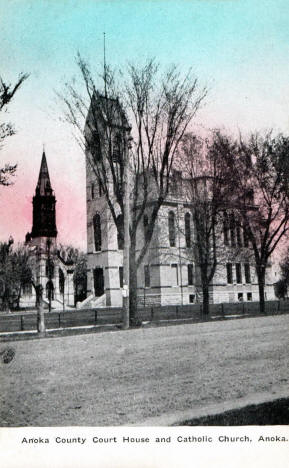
[{"x": 44, "y": 222}]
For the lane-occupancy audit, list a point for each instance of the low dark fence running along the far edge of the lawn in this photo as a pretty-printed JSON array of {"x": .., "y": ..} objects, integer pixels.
[{"x": 65, "y": 319}]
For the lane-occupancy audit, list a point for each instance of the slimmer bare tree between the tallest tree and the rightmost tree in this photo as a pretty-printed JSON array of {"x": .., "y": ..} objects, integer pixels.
[{"x": 206, "y": 194}]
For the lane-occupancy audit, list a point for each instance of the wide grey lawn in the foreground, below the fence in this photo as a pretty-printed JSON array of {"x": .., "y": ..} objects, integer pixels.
[{"x": 127, "y": 377}]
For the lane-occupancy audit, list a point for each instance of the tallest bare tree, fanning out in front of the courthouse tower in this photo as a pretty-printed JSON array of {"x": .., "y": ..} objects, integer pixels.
[{"x": 147, "y": 114}]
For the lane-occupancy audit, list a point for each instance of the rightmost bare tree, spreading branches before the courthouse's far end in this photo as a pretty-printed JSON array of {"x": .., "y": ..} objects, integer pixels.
[{"x": 258, "y": 178}]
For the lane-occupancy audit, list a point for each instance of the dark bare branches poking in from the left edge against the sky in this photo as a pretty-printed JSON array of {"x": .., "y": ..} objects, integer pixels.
[{"x": 7, "y": 92}]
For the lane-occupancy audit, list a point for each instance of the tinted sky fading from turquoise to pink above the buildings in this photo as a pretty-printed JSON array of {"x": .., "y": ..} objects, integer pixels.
[{"x": 238, "y": 48}]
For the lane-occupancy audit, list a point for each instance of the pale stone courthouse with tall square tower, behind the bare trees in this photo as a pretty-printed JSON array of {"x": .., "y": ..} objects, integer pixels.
[{"x": 169, "y": 273}]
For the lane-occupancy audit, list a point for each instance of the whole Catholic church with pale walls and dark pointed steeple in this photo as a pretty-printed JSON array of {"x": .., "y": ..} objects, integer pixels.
[{"x": 49, "y": 268}]
